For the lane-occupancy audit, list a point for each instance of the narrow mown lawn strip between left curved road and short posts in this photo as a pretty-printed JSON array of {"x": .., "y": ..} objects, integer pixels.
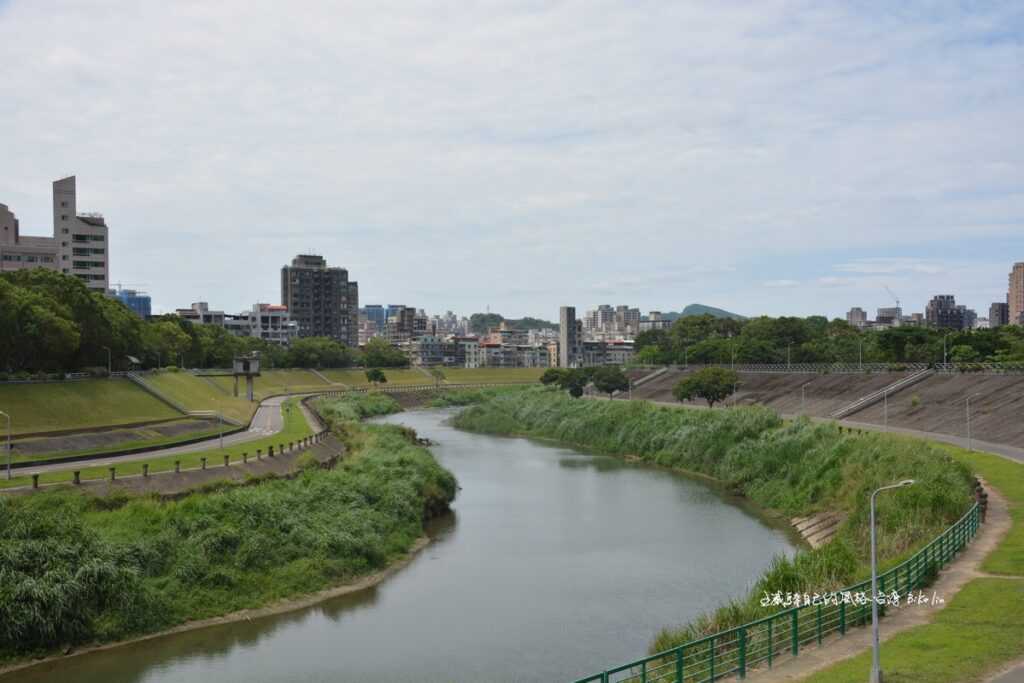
[{"x": 296, "y": 428}]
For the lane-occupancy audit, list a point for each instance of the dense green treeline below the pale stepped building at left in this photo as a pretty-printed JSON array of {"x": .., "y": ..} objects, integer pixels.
[{"x": 52, "y": 323}]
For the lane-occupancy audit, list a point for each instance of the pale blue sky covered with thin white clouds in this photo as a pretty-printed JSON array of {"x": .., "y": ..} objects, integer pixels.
[{"x": 766, "y": 157}]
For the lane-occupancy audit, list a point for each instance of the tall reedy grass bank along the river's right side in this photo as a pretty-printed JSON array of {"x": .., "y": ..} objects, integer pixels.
[{"x": 792, "y": 468}]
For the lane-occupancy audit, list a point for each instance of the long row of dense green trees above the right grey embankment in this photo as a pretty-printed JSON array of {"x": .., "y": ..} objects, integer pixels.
[{"x": 704, "y": 339}]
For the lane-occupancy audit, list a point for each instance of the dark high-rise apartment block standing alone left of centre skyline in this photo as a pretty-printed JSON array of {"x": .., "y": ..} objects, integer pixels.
[{"x": 322, "y": 301}]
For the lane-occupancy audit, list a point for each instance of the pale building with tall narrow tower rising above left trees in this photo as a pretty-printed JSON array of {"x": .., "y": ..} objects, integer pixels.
[{"x": 80, "y": 245}]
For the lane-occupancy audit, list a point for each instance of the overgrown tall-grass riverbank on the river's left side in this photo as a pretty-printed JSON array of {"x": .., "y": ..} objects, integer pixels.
[{"x": 76, "y": 570}]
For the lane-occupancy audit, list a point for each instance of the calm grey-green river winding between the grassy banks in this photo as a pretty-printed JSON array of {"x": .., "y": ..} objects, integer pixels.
[{"x": 554, "y": 565}]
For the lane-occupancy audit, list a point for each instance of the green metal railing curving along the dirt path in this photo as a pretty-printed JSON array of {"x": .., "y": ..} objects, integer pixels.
[{"x": 763, "y": 644}]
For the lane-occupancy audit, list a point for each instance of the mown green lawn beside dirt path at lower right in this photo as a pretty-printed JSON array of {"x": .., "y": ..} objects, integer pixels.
[{"x": 983, "y": 628}]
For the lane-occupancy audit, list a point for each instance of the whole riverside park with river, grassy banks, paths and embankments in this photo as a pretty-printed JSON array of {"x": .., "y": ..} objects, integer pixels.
[{"x": 497, "y": 525}]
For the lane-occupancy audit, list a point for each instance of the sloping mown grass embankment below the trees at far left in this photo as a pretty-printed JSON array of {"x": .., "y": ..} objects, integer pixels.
[{"x": 64, "y": 406}]
